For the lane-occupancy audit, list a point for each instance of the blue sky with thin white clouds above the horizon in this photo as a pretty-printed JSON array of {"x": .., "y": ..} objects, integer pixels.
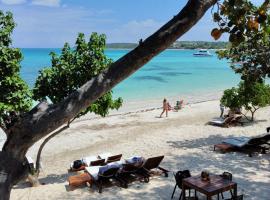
[{"x": 51, "y": 23}]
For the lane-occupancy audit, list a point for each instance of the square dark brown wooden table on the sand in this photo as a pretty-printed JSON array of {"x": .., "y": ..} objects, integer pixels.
[{"x": 216, "y": 185}]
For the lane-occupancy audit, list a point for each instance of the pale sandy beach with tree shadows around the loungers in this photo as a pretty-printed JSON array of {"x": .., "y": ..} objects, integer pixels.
[{"x": 183, "y": 138}]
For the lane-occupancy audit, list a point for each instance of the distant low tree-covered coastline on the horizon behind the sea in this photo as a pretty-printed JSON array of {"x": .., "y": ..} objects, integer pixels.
[{"x": 176, "y": 45}]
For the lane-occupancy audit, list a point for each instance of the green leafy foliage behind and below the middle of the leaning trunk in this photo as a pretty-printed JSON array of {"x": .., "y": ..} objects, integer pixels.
[{"x": 72, "y": 69}]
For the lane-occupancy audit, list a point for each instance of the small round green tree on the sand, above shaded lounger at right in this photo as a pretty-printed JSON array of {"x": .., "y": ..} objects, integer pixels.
[{"x": 251, "y": 96}]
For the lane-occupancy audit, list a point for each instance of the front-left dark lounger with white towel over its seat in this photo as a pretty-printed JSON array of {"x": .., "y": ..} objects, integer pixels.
[{"x": 100, "y": 174}]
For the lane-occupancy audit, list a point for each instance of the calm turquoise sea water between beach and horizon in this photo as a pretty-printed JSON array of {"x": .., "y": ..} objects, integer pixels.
[{"x": 171, "y": 73}]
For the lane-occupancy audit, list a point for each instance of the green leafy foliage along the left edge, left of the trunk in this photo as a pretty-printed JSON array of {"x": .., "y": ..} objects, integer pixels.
[{"x": 15, "y": 95}]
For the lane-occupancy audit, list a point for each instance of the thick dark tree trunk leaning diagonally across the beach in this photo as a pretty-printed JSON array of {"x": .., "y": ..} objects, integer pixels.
[{"x": 44, "y": 119}]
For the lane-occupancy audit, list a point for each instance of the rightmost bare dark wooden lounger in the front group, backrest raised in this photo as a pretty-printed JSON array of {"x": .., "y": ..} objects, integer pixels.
[{"x": 151, "y": 163}]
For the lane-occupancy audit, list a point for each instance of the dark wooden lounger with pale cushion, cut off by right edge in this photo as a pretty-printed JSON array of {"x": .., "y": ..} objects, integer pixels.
[{"x": 260, "y": 143}]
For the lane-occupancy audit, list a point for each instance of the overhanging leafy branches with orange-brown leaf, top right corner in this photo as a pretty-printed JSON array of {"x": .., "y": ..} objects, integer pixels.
[{"x": 248, "y": 26}]
